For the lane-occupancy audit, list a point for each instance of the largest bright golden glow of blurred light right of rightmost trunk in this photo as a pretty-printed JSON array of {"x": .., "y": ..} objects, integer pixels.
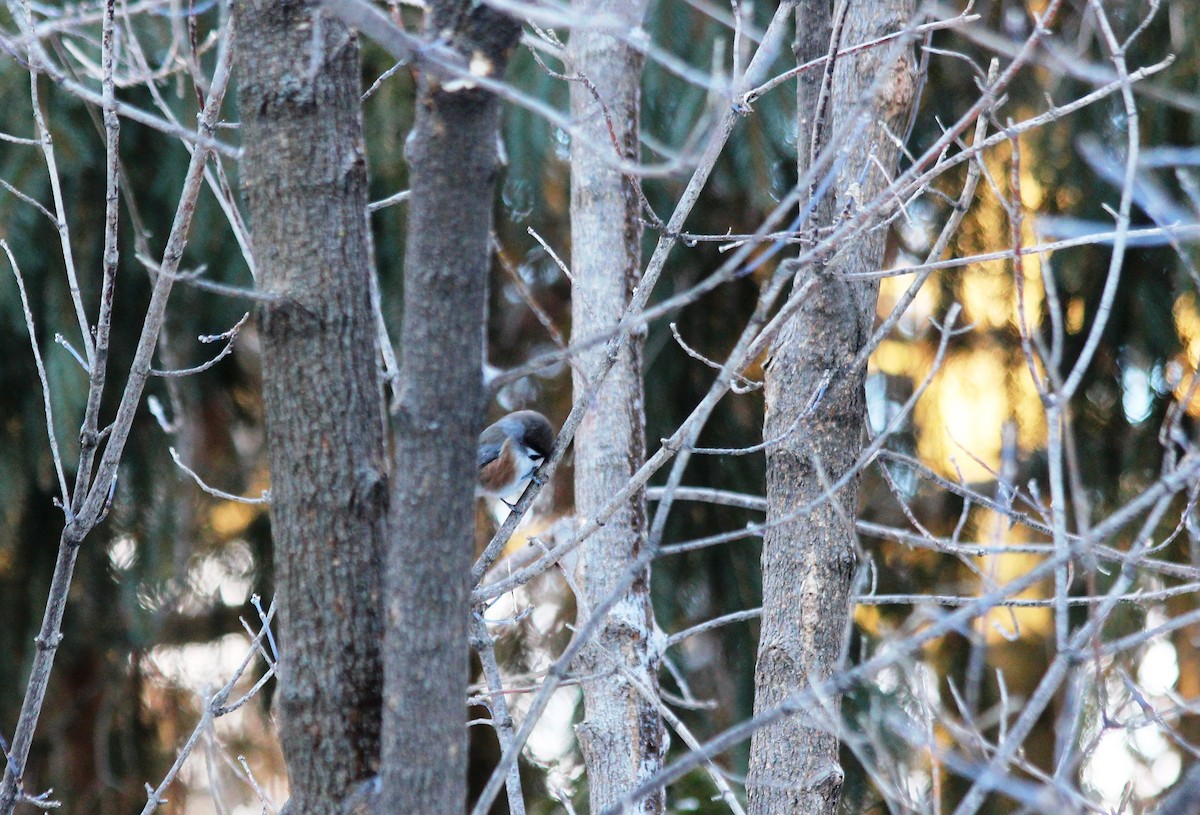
[{"x": 985, "y": 383}]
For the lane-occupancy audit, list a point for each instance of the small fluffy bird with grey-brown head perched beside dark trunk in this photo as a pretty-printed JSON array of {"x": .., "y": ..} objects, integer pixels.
[{"x": 511, "y": 452}]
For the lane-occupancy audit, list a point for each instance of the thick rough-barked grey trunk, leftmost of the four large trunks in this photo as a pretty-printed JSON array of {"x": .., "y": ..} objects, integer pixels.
[{"x": 307, "y": 184}]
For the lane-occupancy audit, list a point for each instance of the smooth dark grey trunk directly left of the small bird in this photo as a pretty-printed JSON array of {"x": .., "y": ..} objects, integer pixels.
[{"x": 453, "y": 165}]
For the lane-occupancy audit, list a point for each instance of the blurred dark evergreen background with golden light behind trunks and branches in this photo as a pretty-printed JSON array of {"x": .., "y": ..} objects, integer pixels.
[{"x": 153, "y": 622}]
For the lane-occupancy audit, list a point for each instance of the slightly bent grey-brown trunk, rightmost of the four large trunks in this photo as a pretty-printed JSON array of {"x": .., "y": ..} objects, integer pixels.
[{"x": 808, "y": 562}]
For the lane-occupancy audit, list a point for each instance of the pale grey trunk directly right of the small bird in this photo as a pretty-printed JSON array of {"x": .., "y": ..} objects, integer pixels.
[{"x": 622, "y": 735}]
